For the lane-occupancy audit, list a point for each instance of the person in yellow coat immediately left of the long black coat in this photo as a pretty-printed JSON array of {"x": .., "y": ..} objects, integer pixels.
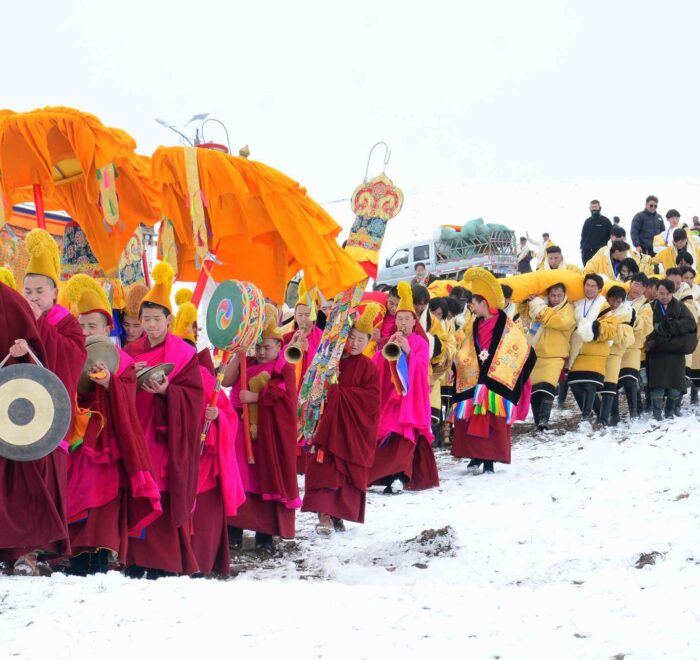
[{"x": 629, "y": 379}]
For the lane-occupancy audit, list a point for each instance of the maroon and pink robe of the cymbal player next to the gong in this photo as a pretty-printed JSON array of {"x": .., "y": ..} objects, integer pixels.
[{"x": 112, "y": 492}]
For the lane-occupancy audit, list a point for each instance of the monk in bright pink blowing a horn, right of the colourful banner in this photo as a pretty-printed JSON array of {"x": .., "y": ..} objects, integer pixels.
[{"x": 404, "y": 452}]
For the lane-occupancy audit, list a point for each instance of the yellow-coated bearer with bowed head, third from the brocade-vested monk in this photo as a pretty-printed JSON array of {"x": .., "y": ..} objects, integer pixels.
[{"x": 620, "y": 339}]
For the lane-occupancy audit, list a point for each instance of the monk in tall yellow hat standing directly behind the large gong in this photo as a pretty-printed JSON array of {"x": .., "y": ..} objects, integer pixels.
[{"x": 43, "y": 482}]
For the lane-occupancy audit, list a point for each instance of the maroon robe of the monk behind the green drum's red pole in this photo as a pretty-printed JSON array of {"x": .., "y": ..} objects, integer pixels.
[{"x": 272, "y": 491}]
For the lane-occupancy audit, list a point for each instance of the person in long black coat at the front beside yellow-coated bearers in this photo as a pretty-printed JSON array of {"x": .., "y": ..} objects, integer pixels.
[{"x": 674, "y": 336}]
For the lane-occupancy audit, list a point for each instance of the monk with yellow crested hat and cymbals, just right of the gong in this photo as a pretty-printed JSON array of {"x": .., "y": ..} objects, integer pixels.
[{"x": 112, "y": 492}]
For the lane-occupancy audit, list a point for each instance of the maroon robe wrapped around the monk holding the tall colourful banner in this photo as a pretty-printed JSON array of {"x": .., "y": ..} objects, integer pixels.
[{"x": 346, "y": 441}]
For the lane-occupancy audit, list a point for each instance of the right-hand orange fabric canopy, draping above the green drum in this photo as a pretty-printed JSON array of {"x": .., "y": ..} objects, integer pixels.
[{"x": 262, "y": 224}]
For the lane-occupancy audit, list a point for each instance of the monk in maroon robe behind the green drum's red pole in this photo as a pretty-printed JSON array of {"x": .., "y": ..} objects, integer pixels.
[{"x": 272, "y": 492}]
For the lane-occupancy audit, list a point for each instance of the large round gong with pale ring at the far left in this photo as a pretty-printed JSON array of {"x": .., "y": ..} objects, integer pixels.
[{"x": 35, "y": 412}]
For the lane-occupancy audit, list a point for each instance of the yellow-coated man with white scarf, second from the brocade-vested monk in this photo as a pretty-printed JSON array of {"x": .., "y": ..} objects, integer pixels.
[{"x": 589, "y": 345}]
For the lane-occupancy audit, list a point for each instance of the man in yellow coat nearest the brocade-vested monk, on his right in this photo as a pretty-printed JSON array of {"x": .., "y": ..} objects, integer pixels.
[{"x": 553, "y": 323}]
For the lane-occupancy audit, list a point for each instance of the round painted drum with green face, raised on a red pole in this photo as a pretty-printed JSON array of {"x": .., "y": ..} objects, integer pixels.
[{"x": 235, "y": 316}]
